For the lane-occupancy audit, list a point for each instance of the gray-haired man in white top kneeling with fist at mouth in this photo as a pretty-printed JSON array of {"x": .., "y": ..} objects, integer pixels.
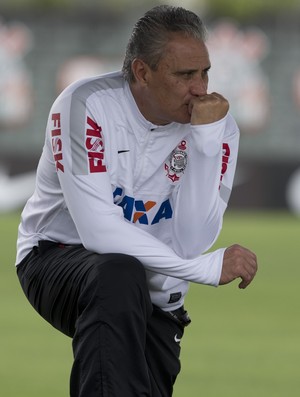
[{"x": 132, "y": 185}]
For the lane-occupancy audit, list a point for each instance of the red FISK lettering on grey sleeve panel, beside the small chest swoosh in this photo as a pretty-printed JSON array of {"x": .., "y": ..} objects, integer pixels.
[{"x": 95, "y": 146}]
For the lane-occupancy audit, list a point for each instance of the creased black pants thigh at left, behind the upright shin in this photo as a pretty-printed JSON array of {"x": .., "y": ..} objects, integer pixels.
[{"x": 51, "y": 277}]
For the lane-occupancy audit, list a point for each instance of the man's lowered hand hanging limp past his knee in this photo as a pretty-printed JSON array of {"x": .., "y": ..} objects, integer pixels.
[{"x": 238, "y": 262}]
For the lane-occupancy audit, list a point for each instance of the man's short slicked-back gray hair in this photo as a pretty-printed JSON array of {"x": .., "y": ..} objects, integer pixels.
[{"x": 152, "y": 32}]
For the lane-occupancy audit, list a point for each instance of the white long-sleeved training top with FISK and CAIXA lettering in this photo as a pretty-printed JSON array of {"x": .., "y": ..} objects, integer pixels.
[{"x": 116, "y": 183}]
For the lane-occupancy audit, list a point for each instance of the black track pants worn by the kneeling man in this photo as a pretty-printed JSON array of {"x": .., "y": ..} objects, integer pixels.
[{"x": 123, "y": 346}]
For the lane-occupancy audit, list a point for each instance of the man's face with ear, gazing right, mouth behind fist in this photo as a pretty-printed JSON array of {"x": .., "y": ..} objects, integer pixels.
[{"x": 182, "y": 75}]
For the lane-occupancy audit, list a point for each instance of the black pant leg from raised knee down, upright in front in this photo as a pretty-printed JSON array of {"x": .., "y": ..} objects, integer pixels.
[{"x": 110, "y": 337}]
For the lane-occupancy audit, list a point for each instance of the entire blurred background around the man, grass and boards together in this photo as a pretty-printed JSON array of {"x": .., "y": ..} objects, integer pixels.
[{"x": 241, "y": 343}]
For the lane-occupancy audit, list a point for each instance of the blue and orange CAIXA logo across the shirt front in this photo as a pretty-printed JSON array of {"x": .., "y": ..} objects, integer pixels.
[{"x": 137, "y": 210}]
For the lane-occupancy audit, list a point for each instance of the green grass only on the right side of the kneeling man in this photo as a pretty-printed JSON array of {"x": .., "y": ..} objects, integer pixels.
[{"x": 245, "y": 343}]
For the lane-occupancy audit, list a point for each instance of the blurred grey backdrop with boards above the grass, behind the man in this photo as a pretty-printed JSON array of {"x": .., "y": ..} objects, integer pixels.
[{"x": 255, "y": 53}]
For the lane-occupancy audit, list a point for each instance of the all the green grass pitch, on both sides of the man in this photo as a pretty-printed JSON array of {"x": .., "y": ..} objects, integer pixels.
[{"x": 241, "y": 343}]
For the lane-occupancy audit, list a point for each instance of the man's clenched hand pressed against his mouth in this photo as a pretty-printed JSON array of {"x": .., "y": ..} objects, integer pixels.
[{"x": 208, "y": 108}]
